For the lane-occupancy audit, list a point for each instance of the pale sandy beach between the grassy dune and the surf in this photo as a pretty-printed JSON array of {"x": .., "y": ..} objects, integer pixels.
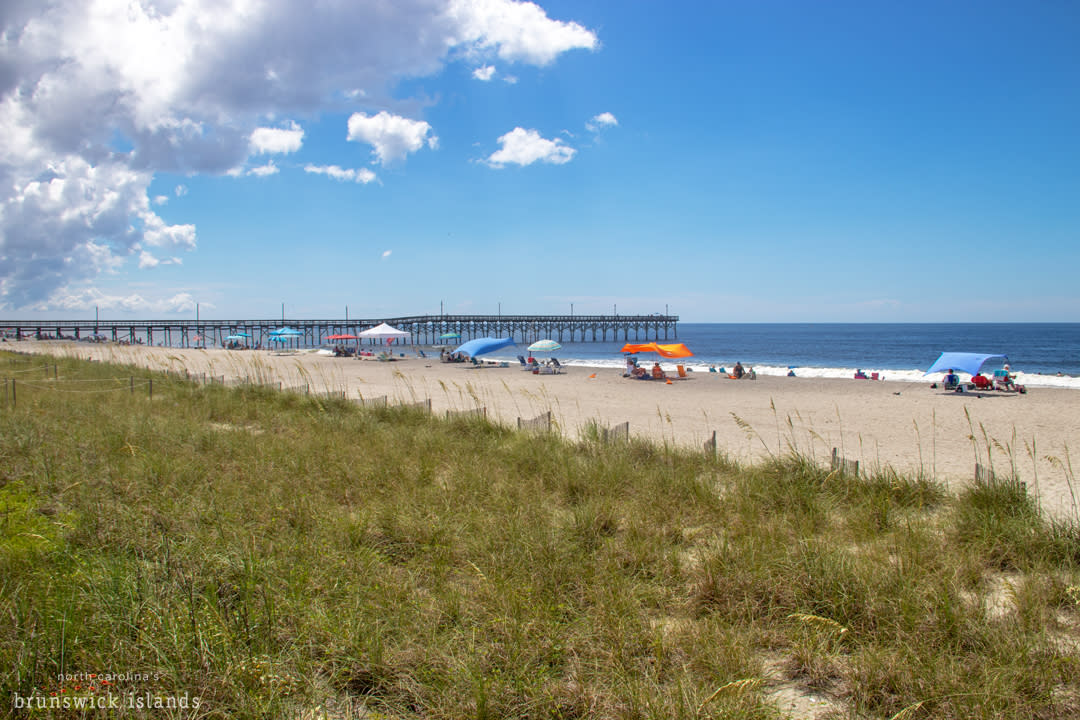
[{"x": 882, "y": 425}]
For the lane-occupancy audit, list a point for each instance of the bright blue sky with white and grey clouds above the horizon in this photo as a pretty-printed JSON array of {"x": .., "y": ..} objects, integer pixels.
[{"x": 728, "y": 161}]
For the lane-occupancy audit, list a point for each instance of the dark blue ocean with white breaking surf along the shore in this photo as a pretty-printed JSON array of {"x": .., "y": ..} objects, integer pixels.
[{"x": 1043, "y": 355}]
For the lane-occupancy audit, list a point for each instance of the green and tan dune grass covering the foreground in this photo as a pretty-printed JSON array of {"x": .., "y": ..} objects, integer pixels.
[{"x": 277, "y": 555}]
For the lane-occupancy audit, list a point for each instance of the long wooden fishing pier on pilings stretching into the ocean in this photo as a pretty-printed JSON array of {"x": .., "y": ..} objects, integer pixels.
[{"x": 425, "y": 330}]
